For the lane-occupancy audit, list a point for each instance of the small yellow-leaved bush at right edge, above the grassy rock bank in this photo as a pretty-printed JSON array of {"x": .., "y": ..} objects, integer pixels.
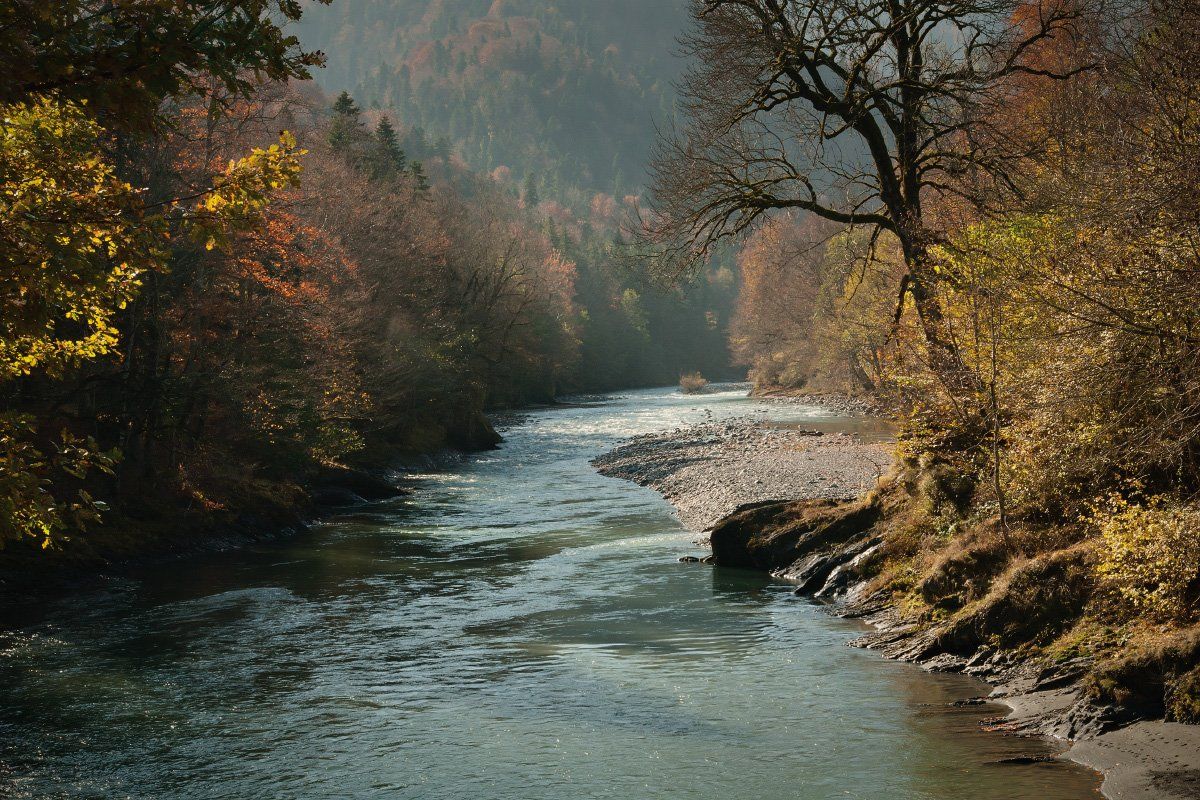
[{"x": 1151, "y": 554}]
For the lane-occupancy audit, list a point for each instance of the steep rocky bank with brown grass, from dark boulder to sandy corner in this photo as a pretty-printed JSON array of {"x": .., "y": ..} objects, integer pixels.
[{"x": 837, "y": 551}]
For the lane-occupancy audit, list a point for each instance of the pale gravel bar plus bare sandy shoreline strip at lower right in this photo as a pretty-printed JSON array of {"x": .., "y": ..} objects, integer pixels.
[{"x": 711, "y": 470}]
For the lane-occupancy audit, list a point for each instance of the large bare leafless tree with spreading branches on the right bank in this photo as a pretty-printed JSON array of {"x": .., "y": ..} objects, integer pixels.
[{"x": 855, "y": 111}]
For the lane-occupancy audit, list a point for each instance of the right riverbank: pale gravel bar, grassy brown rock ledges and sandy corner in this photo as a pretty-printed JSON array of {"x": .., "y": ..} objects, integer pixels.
[{"x": 838, "y": 549}]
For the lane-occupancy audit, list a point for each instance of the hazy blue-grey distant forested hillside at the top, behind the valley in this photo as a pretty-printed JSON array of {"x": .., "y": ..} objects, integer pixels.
[{"x": 566, "y": 91}]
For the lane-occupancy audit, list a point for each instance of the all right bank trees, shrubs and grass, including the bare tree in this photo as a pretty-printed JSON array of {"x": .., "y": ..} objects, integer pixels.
[{"x": 986, "y": 216}]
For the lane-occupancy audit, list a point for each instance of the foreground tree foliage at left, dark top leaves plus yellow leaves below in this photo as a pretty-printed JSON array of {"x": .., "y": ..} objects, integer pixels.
[{"x": 80, "y": 238}]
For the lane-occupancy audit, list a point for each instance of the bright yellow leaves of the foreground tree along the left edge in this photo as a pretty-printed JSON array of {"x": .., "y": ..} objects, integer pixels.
[{"x": 76, "y": 249}]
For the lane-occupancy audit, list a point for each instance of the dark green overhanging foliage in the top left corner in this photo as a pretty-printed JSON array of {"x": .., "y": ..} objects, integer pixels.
[{"x": 100, "y": 52}]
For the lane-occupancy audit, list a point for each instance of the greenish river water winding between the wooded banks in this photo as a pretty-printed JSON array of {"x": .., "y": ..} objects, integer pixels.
[{"x": 520, "y": 628}]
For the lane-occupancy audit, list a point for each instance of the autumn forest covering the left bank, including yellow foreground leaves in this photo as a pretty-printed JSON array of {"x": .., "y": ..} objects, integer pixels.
[{"x": 223, "y": 285}]
